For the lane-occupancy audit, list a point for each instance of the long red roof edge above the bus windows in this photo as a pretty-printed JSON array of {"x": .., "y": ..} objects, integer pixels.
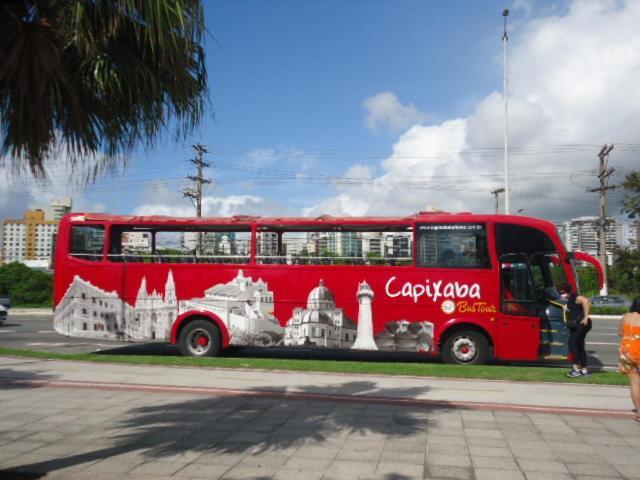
[{"x": 427, "y": 217}]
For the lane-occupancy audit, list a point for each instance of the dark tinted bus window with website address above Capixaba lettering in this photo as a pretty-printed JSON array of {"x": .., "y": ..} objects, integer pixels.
[{"x": 453, "y": 245}]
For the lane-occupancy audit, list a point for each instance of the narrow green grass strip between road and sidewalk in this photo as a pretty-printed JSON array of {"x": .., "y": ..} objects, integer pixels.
[{"x": 482, "y": 372}]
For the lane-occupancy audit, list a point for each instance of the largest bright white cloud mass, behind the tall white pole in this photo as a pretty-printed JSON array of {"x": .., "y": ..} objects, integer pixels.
[{"x": 573, "y": 81}]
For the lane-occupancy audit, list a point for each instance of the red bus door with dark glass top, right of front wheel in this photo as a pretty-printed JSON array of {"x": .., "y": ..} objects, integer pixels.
[{"x": 520, "y": 321}]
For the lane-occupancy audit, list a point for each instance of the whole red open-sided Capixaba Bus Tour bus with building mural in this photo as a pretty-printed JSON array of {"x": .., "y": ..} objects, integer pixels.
[{"x": 467, "y": 287}]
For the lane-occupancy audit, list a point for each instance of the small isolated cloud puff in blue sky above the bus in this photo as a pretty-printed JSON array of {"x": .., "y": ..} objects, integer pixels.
[{"x": 384, "y": 110}]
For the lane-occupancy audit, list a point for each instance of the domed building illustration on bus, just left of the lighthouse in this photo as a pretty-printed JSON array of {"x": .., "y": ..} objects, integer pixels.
[{"x": 321, "y": 324}]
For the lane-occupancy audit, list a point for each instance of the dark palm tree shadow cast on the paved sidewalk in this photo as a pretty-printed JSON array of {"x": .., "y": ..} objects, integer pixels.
[{"x": 236, "y": 427}]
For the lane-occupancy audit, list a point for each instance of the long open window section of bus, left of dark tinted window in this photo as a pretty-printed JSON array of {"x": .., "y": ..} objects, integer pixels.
[{"x": 390, "y": 246}]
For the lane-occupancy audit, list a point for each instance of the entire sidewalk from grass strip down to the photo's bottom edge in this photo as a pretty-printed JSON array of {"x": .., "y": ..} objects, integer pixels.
[{"x": 87, "y": 421}]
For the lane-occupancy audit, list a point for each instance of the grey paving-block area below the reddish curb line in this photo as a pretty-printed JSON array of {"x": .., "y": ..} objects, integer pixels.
[{"x": 68, "y": 433}]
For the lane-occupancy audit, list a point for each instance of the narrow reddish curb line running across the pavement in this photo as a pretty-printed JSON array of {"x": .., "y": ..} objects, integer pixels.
[{"x": 369, "y": 399}]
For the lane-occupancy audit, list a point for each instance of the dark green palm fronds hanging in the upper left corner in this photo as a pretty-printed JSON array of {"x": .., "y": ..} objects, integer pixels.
[{"x": 97, "y": 77}]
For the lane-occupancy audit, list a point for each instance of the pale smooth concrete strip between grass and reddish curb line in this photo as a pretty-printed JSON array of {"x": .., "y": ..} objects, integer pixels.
[{"x": 567, "y": 398}]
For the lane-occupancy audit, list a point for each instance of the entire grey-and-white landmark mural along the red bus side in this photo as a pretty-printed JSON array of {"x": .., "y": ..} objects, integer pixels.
[{"x": 245, "y": 306}]
